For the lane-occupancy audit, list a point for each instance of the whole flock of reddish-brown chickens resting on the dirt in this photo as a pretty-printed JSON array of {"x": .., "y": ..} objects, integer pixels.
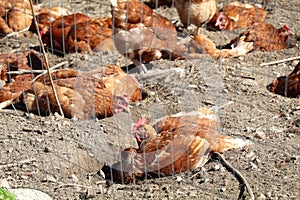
[{"x": 139, "y": 33}]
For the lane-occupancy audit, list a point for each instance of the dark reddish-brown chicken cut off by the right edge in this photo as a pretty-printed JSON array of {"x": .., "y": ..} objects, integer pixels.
[{"x": 287, "y": 86}]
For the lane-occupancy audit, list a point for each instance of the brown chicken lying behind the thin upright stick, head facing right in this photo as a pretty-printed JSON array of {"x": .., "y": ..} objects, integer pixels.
[{"x": 80, "y": 96}]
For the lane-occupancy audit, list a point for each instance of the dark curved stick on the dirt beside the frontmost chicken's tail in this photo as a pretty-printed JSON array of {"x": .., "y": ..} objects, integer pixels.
[{"x": 242, "y": 180}]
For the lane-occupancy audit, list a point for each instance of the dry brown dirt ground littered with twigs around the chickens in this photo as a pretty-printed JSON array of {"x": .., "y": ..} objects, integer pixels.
[{"x": 62, "y": 157}]
